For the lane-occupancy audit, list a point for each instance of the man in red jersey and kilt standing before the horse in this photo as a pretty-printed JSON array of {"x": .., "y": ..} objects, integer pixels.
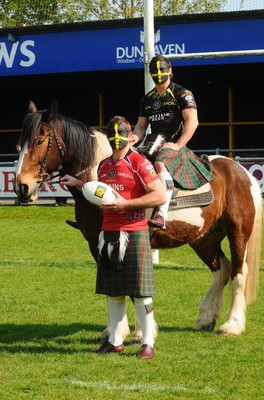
[{"x": 124, "y": 265}]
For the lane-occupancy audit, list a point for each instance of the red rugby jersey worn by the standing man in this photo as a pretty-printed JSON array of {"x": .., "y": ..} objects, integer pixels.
[{"x": 128, "y": 177}]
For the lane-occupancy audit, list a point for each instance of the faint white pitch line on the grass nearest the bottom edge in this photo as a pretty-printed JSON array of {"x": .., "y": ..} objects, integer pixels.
[{"x": 136, "y": 387}]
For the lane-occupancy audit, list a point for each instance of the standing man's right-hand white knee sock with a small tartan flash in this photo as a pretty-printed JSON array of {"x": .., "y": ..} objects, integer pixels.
[{"x": 145, "y": 315}]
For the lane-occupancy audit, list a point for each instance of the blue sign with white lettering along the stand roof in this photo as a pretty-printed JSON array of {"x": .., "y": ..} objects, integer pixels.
[{"x": 123, "y": 48}]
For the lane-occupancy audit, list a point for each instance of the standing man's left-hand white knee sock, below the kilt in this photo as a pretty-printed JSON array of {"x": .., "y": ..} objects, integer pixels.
[{"x": 117, "y": 311}]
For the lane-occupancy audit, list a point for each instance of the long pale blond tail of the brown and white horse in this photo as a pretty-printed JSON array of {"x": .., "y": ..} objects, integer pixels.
[{"x": 254, "y": 245}]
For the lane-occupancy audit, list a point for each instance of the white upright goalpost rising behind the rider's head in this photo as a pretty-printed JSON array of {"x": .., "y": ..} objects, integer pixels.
[{"x": 149, "y": 51}]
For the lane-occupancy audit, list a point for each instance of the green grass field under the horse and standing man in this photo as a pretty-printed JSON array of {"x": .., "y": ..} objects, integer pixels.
[{"x": 51, "y": 320}]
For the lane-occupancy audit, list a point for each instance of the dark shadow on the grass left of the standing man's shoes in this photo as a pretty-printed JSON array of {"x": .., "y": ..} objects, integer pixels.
[{"x": 41, "y": 338}]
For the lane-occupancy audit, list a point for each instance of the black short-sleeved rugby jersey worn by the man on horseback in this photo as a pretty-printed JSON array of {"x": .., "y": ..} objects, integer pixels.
[{"x": 164, "y": 110}]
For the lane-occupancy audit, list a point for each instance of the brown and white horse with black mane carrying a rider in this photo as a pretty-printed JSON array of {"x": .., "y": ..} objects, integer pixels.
[{"x": 51, "y": 141}]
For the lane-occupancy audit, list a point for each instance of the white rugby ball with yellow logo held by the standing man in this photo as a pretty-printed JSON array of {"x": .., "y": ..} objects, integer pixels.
[{"x": 98, "y": 192}]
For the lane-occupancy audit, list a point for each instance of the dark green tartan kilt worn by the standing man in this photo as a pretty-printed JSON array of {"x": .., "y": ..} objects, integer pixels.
[{"x": 136, "y": 277}]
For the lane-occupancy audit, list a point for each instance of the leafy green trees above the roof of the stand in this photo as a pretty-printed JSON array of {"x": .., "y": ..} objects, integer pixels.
[{"x": 39, "y": 12}]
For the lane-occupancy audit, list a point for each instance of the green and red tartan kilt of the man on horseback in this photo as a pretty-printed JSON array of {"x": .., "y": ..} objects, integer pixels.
[{"x": 187, "y": 169}]
